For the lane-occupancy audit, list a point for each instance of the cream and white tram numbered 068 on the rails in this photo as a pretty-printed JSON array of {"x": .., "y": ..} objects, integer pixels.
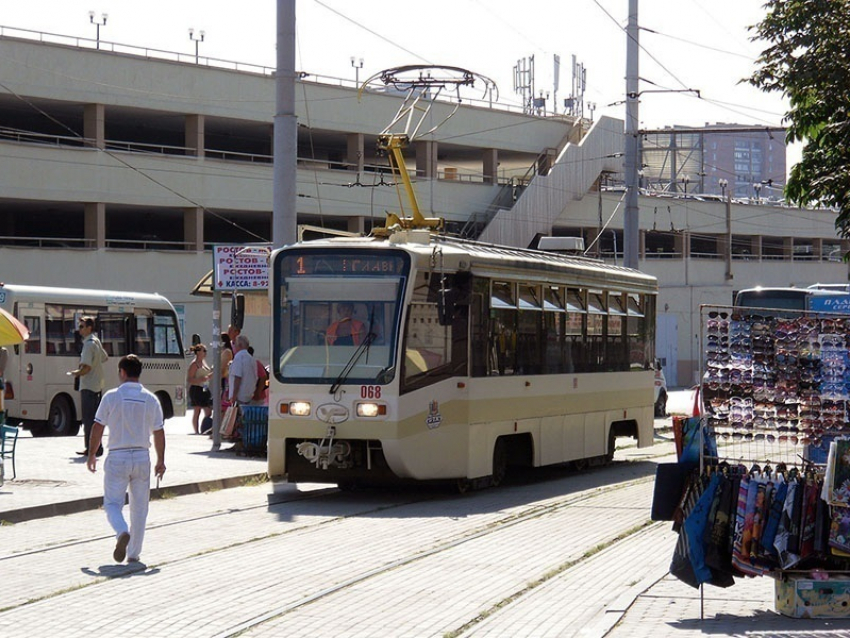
[{"x": 464, "y": 359}]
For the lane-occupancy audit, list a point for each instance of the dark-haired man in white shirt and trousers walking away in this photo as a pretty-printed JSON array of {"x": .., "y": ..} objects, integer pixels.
[{"x": 132, "y": 413}]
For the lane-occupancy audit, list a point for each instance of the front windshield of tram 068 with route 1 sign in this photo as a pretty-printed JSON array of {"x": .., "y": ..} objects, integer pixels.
[{"x": 339, "y": 316}]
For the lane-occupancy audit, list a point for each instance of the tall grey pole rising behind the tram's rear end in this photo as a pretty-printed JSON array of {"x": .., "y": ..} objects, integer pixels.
[{"x": 631, "y": 223}]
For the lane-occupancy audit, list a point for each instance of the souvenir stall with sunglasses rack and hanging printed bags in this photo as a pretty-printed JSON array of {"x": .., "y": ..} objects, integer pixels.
[{"x": 770, "y": 496}]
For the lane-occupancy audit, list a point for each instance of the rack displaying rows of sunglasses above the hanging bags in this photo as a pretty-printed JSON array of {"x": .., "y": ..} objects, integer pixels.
[{"x": 775, "y": 389}]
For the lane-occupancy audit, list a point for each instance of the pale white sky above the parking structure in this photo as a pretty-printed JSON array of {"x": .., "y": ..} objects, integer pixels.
[{"x": 702, "y": 45}]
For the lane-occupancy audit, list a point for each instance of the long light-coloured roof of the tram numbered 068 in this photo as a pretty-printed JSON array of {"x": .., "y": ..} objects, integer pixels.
[{"x": 495, "y": 260}]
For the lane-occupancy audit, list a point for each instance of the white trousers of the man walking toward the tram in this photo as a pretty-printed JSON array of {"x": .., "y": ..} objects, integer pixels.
[{"x": 127, "y": 470}]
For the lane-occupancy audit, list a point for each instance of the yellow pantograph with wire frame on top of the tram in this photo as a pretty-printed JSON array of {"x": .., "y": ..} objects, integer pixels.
[{"x": 422, "y": 85}]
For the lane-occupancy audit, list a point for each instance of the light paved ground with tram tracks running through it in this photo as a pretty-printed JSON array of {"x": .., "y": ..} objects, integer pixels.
[{"x": 559, "y": 555}]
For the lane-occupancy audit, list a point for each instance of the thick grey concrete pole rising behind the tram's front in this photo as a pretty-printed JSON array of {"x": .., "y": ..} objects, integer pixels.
[{"x": 284, "y": 219}]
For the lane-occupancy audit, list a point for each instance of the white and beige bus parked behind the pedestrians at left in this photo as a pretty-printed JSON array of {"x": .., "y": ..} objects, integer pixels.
[{"x": 38, "y": 391}]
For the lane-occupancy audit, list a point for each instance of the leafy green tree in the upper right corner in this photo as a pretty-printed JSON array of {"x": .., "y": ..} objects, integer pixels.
[{"x": 808, "y": 61}]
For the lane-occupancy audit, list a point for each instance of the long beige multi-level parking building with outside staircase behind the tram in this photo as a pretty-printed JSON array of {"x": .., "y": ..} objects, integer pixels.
[{"x": 121, "y": 167}]
